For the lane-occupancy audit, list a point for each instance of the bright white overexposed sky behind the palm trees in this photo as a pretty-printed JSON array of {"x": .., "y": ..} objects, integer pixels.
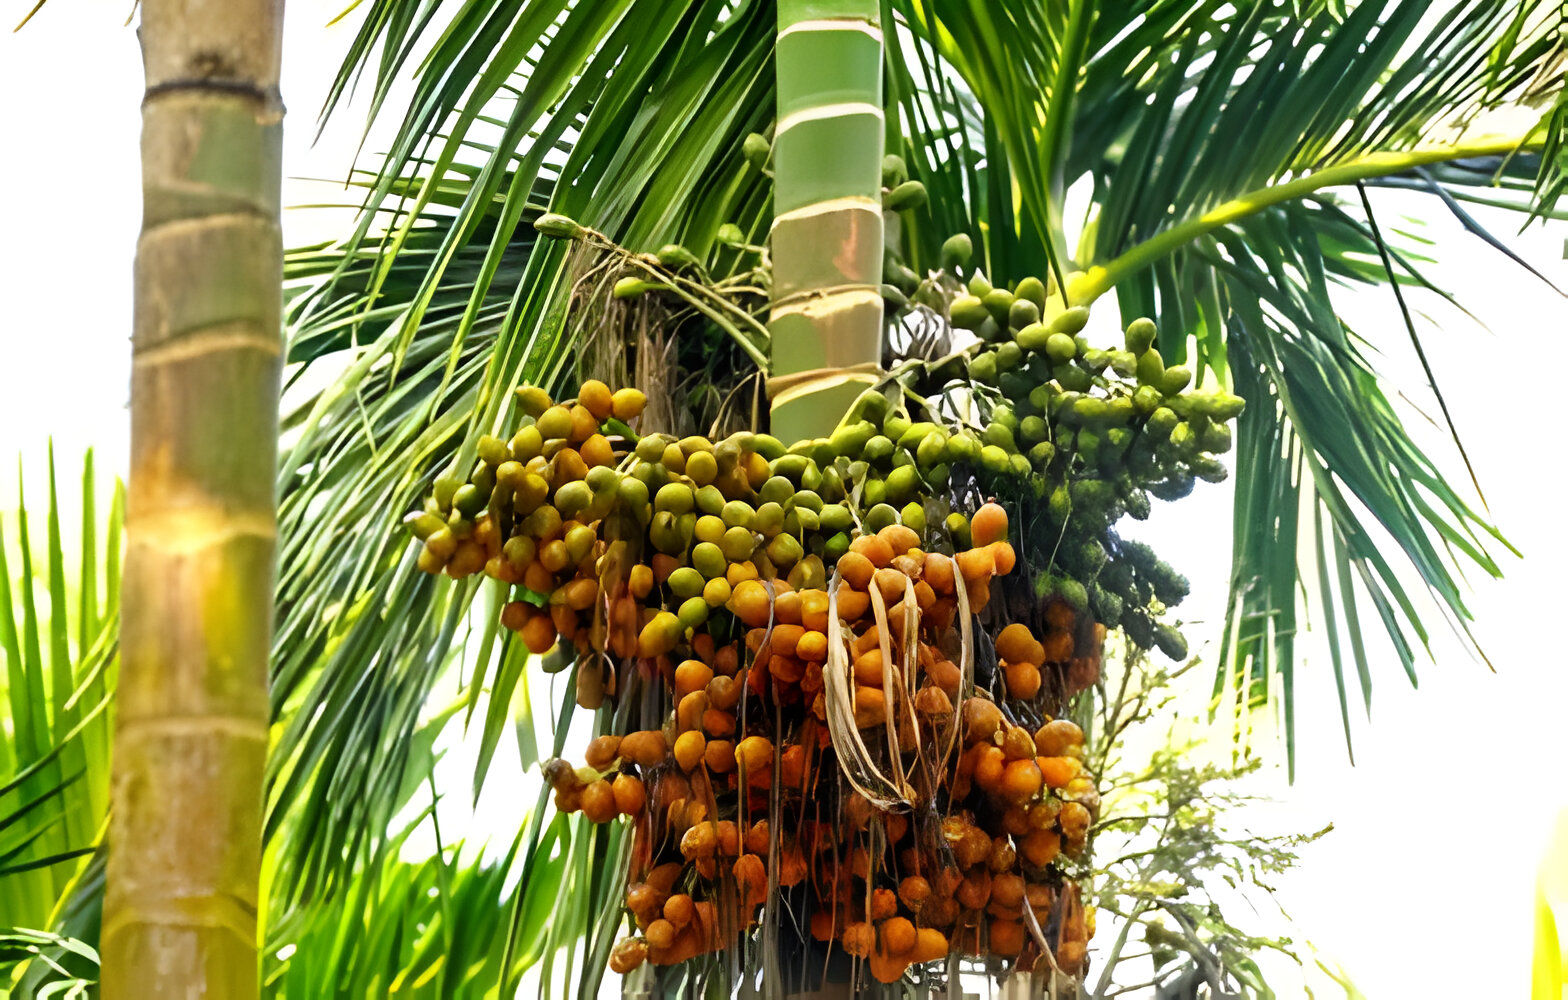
[{"x": 1440, "y": 827}]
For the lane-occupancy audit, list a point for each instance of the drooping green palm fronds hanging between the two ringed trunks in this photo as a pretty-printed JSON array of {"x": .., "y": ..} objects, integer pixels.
[{"x": 628, "y": 118}]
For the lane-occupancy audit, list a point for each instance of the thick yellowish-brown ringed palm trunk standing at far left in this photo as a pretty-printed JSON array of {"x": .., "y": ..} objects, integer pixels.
[{"x": 191, "y": 741}]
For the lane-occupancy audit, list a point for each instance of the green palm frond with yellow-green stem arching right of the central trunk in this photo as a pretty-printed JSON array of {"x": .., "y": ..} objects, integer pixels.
[{"x": 1219, "y": 140}]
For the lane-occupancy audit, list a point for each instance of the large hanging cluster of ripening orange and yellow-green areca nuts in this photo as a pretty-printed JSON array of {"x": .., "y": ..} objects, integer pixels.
[{"x": 833, "y": 705}]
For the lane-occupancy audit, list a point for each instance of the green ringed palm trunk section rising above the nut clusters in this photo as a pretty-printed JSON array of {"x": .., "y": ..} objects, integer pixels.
[{"x": 827, "y": 201}]
